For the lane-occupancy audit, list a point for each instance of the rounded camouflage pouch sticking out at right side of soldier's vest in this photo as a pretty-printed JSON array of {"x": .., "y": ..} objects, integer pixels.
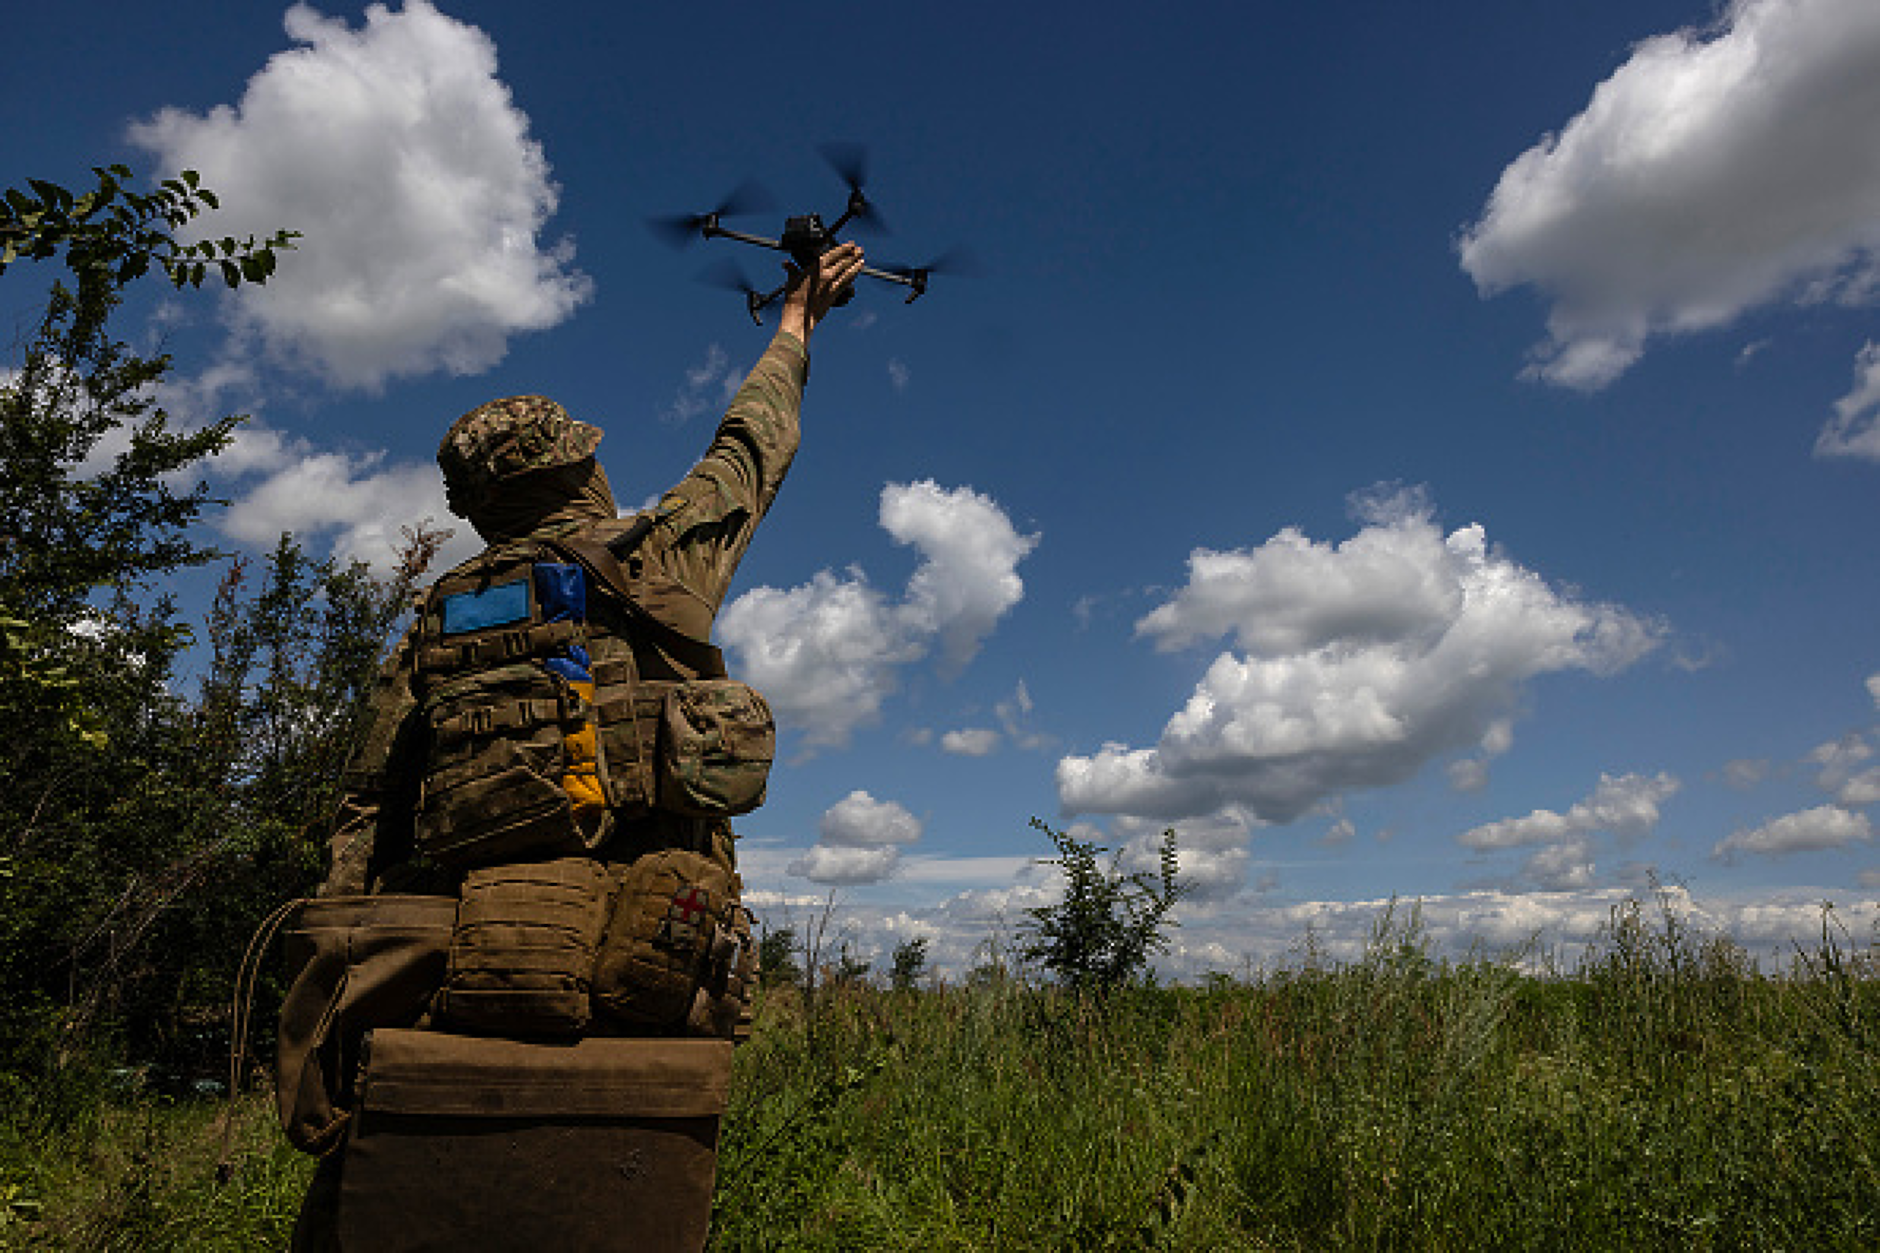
[{"x": 717, "y": 744}]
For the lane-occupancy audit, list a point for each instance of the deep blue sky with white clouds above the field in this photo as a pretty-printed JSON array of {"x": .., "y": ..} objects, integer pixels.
[{"x": 1411, "y": 451}]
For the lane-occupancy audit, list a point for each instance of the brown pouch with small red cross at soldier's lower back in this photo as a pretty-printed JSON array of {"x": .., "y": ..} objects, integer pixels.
[{"x": 678, "y": 953}]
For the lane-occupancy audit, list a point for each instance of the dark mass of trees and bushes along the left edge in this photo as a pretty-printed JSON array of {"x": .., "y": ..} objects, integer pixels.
[{"x": 146, "y": 831}]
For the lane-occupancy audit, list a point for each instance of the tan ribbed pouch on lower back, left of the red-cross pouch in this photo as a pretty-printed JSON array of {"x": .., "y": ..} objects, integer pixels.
[{"x": 522, "y": 957}]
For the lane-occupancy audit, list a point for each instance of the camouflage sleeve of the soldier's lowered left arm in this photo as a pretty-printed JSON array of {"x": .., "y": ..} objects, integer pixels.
[{"x": 379, "y": 801}]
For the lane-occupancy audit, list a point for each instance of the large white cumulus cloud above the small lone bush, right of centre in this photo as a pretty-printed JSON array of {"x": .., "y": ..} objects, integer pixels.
[{"x": 1339, "y": 688}]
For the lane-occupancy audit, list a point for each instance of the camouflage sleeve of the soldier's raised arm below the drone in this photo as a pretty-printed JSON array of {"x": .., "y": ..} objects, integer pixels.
[{"x": 706, "y": 522}]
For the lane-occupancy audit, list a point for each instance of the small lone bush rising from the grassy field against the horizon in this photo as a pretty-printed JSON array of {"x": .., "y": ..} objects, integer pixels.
[{"x": 1110, "y": 923}]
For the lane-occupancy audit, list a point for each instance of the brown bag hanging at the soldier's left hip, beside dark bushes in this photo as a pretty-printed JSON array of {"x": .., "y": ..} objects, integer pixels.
[{"x": 354, "y": 964}]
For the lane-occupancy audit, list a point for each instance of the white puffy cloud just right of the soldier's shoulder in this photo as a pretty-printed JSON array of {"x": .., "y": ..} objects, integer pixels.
[{"x": 828, "y": 654}]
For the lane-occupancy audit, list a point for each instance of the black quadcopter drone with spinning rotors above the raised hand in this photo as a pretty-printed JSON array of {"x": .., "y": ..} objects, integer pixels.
[{"x": 804, "y": 240}]
